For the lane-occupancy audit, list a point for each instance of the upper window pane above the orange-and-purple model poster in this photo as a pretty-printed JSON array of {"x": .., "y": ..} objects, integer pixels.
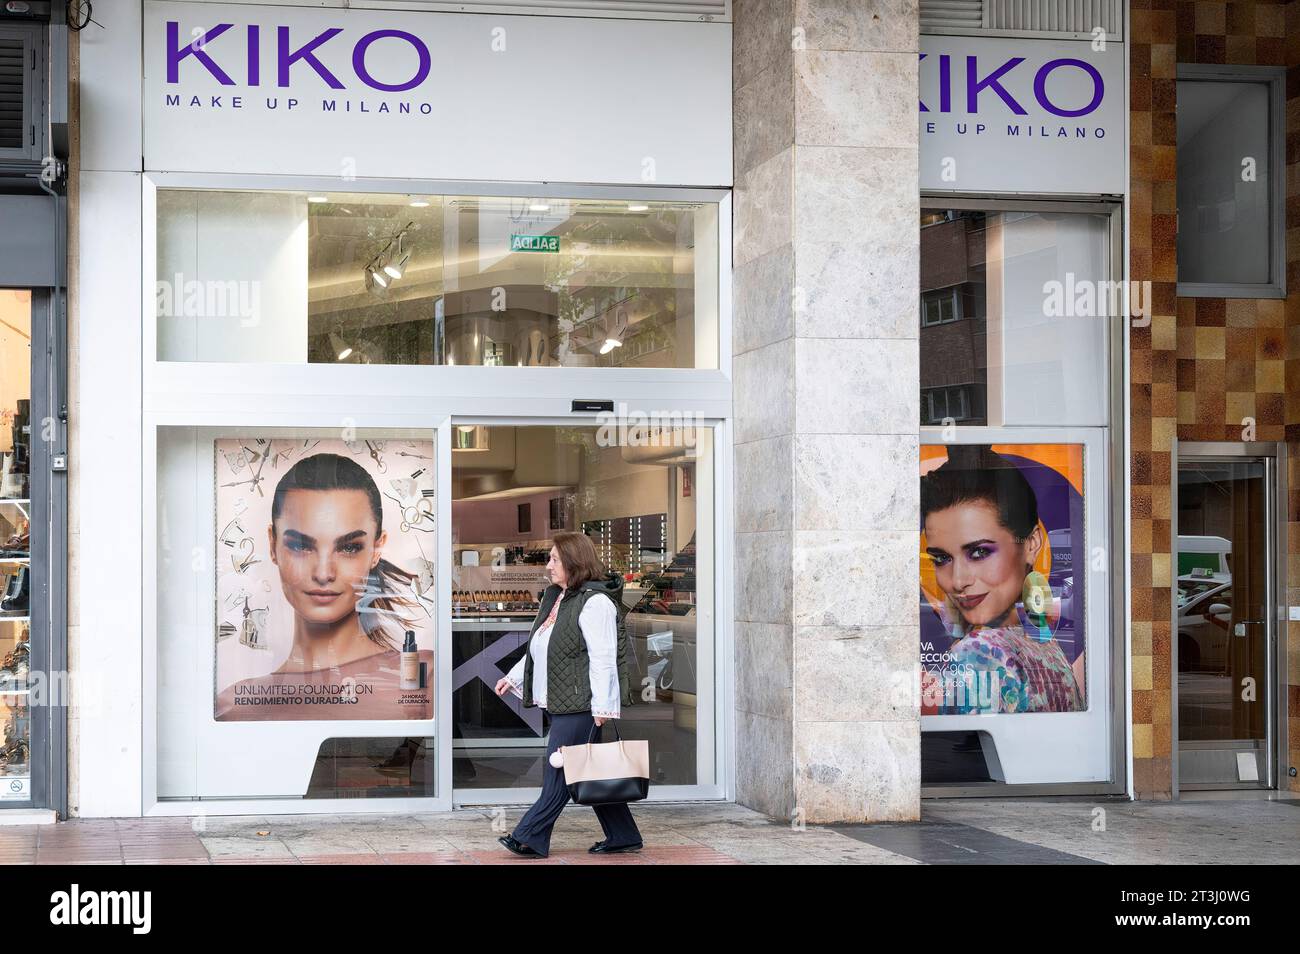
[{"x": 1013, "y": 318}]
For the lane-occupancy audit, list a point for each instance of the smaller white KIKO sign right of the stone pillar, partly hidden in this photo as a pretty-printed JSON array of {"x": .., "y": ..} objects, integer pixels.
[{"x": 1021, "y": 116}]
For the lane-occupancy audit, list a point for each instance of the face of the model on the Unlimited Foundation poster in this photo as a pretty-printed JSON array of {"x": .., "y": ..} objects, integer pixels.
[{"x": 326, "y": 544}]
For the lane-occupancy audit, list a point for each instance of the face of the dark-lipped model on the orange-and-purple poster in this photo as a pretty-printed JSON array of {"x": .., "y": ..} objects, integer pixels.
[{"x": 980, "y": 563}]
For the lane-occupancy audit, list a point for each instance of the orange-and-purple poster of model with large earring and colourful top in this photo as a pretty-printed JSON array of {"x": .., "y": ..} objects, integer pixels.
[{"x": 1002, "y": 541}]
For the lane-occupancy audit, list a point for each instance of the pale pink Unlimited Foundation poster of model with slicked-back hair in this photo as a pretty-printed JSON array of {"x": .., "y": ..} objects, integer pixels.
[{"x": 324, "y": 579}]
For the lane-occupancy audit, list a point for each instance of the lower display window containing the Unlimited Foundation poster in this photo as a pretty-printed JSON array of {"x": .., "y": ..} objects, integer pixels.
[{"x": 320, "y": 612}]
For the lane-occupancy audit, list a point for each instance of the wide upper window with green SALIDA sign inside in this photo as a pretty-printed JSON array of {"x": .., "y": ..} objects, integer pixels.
[{"x": 486, "y": 281}]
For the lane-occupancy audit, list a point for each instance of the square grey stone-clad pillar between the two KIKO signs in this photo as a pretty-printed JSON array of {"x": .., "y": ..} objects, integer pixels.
[{"x": 826, "y": 394}]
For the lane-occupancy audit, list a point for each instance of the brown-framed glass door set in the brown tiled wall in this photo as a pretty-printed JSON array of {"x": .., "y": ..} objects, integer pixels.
[{"x": 1227, "y": 622}]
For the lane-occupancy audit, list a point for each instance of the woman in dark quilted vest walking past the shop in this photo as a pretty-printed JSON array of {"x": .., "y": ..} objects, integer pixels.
[{"x": 577, "y": 670}]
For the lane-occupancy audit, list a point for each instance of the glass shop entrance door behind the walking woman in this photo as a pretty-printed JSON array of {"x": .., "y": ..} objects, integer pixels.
[{"x": 645, "y": 498}]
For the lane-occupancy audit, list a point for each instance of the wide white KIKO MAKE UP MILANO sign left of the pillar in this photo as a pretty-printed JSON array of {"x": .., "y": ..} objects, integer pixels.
[{"x": 336, "y": 90}]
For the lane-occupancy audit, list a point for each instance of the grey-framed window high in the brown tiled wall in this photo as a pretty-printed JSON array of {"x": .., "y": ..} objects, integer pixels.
[{"x": 1232, "y": 203}]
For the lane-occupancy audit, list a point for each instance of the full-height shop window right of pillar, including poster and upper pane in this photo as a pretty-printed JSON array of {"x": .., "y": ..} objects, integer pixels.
[{"x": 1016, "y": 647}]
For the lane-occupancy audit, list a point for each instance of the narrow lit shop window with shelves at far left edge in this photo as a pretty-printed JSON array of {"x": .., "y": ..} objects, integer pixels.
[{"x": 15, "y": 547}]
